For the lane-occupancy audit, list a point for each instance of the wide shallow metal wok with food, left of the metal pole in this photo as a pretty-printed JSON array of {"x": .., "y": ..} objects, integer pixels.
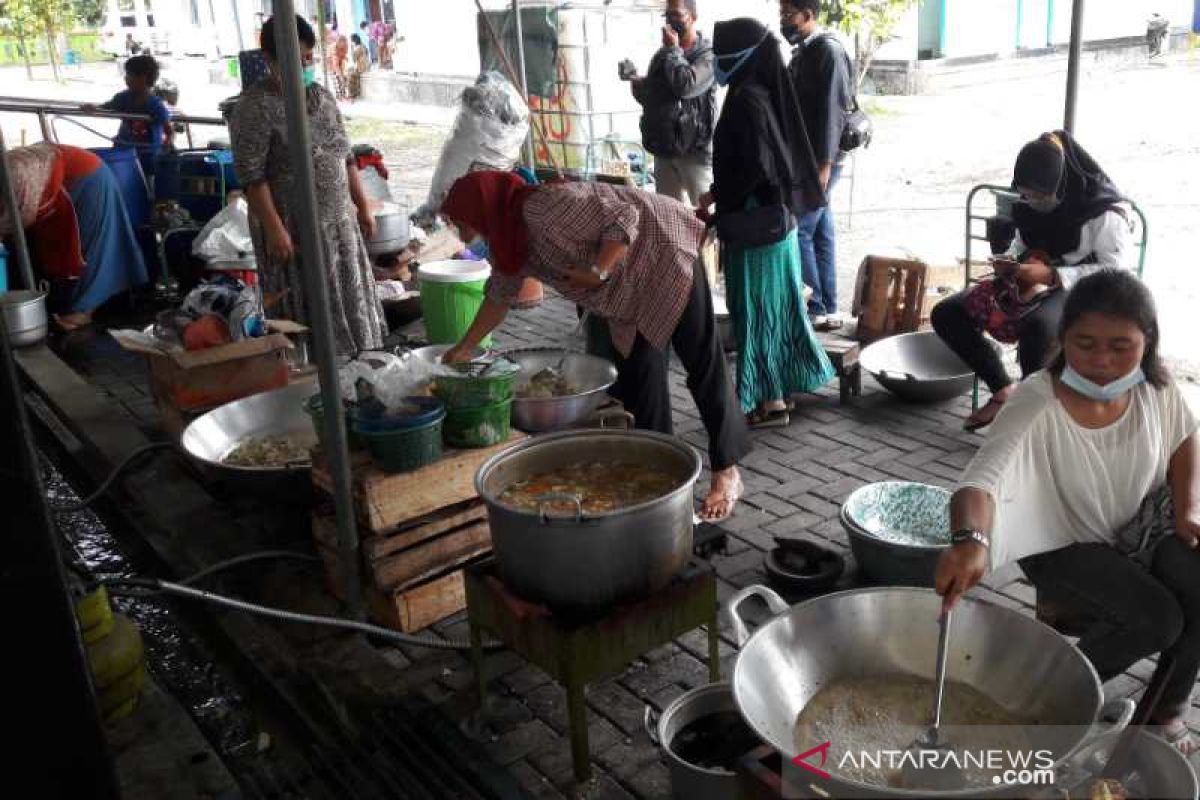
[{"x": 257, "y": 438}]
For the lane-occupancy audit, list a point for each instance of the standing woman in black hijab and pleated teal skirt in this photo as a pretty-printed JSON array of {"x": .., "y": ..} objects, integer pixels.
[{"x": 764, "y": 176}]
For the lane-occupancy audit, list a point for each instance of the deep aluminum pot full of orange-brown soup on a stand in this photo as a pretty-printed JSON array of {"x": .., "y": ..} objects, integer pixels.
[{"x": 584, "y": 520}]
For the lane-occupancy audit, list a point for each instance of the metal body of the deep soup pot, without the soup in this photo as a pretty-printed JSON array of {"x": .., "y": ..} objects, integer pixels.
[{"x": 583, "y": 563}]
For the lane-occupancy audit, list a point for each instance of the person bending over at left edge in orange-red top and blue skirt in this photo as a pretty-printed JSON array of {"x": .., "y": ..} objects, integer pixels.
[{"x": 77, "y": 225}]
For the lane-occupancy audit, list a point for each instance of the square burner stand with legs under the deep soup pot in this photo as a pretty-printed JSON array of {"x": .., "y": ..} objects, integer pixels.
[{"x": 577, "y": 654}]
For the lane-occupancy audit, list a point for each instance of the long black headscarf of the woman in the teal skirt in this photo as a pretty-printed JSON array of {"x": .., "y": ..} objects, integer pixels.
[{"x": 766, "y": 73}]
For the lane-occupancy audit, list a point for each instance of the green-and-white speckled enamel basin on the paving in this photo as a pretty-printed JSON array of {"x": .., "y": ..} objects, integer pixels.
[{"x": 898, "y": 531}]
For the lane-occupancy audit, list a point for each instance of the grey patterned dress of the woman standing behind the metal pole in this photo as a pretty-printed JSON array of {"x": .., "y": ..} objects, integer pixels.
[{"x": 260, "y": 135}]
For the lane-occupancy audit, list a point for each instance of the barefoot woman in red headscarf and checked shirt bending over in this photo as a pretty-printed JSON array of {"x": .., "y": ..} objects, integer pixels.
[{"x": 629, "y": 257}]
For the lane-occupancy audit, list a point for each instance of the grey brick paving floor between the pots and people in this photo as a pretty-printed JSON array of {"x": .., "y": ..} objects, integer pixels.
[{"x": 796, "y": 480}]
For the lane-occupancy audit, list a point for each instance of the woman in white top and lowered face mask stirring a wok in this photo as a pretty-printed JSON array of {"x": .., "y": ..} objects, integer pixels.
[{"x": 1077, "y": 482}]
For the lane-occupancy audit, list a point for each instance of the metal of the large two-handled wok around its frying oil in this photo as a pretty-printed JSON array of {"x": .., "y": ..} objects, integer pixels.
[{"x": 1023, "y": 665}]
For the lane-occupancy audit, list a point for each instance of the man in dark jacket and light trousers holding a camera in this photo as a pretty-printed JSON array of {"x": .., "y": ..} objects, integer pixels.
[{"x": 679, "y": 99}]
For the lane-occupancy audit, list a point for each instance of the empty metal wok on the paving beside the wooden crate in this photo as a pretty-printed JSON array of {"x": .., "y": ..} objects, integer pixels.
[{"x": 917, "y": 368}]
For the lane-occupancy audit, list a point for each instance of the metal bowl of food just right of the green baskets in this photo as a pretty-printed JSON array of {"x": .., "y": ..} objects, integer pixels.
[{"x": 557, "y": 389}]
